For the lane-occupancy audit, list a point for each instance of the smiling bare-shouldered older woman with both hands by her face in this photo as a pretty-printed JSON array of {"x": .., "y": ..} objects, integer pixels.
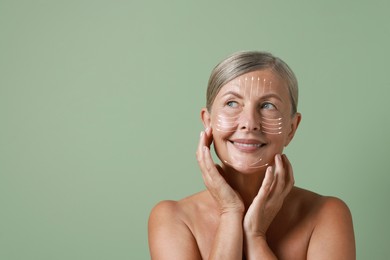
[{"x": 251, "y": 208}]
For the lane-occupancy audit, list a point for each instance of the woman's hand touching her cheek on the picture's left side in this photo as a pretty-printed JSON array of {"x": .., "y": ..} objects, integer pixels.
[{"x": 227, "y": 199}]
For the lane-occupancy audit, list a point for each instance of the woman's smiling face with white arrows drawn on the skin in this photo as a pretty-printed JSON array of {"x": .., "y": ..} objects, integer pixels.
[{"x": 251, "y": 120}]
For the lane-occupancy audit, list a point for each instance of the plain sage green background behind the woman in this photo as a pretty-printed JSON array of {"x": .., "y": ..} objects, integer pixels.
[{"x": 99, "y": 113}]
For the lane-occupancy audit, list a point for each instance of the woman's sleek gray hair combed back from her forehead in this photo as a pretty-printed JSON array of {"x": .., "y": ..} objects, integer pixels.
[{"x": 247, "y": 61}]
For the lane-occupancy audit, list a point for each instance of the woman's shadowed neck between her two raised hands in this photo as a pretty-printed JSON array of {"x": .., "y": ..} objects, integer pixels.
[{"x": 246, "y": 184}]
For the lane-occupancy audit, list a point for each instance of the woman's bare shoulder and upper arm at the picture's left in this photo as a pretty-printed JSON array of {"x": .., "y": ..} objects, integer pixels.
[{"x": 169, "y": 234}]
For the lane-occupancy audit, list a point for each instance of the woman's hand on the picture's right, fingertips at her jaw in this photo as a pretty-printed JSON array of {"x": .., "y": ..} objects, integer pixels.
[{"x": 277, "y": 184}]
